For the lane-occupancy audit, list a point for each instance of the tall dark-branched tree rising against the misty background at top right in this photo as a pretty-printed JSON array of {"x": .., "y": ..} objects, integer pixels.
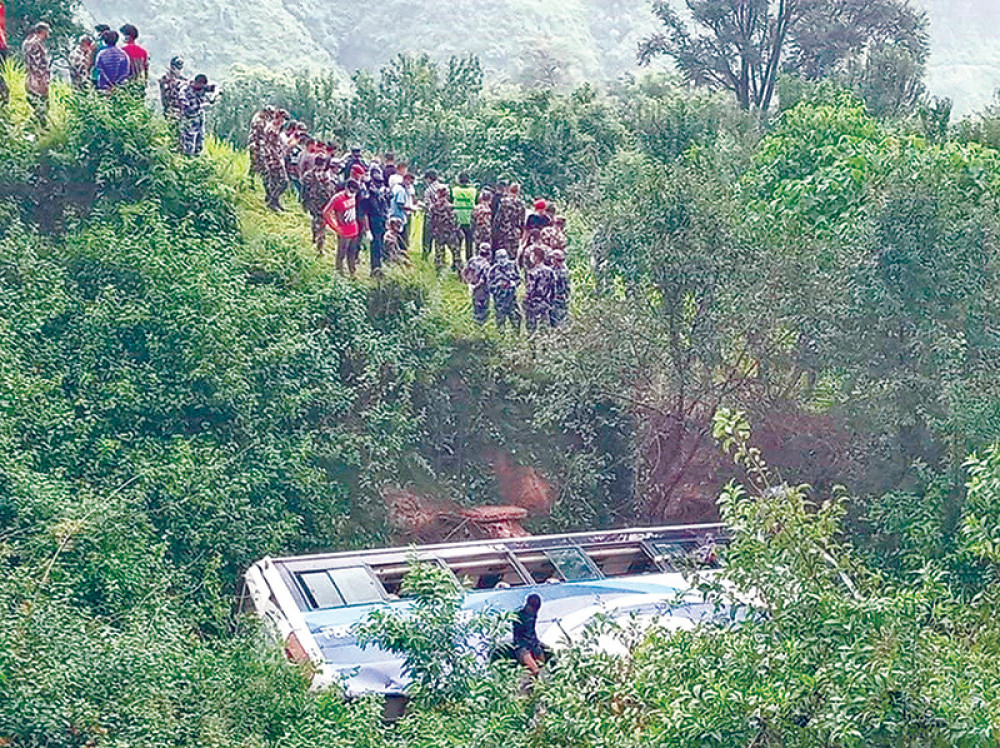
[{"x": 743, "y": 45}]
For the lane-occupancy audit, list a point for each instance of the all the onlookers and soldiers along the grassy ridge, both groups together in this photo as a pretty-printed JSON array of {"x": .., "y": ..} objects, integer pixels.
[{"x": 495, "y": 243}]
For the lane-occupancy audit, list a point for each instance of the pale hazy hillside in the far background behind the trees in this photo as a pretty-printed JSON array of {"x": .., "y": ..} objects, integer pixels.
[{"x": 521, "y": 40}]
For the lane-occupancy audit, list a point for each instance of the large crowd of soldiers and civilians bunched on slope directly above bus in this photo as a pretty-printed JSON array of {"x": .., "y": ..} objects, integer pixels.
[{"x": 492, "y": 240}]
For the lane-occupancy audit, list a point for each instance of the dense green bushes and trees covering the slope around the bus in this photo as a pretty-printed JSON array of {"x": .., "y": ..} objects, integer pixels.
[{"x": 185, "y": 387}]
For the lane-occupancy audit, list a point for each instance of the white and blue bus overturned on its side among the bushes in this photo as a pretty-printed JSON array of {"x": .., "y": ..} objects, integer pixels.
[{"x": 312, "y": 603}]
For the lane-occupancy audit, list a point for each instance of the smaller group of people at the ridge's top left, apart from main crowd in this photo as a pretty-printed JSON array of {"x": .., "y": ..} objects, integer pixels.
[{"x": 106, "y": 61}]
